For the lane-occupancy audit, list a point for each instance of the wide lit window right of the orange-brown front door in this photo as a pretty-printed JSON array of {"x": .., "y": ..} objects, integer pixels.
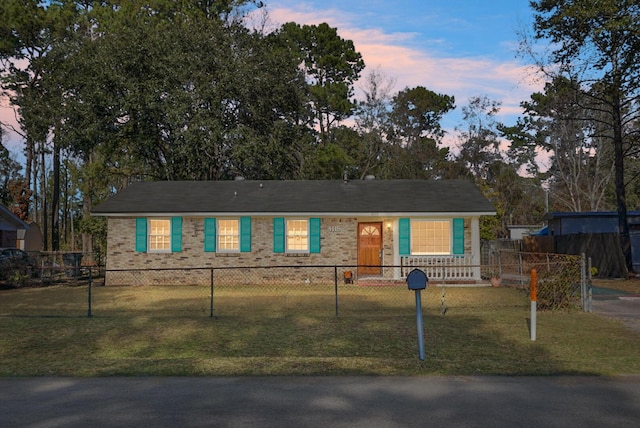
[{"x": 430, "y": 237}]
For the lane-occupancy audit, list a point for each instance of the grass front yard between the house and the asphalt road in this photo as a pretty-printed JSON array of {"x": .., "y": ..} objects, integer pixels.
[{"x": 257, "y": 331}]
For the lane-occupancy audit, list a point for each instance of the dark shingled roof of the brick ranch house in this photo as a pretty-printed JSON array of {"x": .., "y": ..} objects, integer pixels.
[{"x": 297, "y": 197}]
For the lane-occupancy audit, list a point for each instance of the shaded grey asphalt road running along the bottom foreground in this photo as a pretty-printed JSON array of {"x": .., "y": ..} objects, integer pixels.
[{"x": 369, "y": 402}]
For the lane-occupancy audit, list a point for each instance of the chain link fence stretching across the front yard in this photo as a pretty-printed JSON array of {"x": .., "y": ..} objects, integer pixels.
[{"x": 278, "y": 291}]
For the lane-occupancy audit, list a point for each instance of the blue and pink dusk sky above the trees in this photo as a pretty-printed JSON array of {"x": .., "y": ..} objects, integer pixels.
[{"x": 463, "y": 48}]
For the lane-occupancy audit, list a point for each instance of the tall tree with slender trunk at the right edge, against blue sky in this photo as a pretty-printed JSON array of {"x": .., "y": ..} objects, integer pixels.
[{"x": 596, "y": 43}]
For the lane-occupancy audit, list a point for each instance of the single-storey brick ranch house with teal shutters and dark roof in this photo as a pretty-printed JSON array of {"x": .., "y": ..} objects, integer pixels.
[{"x": 370, "y": 228}]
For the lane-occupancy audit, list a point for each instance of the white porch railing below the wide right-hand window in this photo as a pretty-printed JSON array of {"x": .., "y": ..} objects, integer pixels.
[{"x": 442, "y": 268}]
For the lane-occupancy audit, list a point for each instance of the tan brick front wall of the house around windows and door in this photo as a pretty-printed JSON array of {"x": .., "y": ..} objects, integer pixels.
[{"x": 338, "y": 247}]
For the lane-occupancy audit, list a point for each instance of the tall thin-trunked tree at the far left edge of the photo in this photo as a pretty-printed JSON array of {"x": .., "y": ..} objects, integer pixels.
[{"x": 28, "y": 30}]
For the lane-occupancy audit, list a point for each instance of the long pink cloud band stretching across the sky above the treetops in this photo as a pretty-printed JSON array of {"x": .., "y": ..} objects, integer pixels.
[{"x": 393, "y": 54}]
